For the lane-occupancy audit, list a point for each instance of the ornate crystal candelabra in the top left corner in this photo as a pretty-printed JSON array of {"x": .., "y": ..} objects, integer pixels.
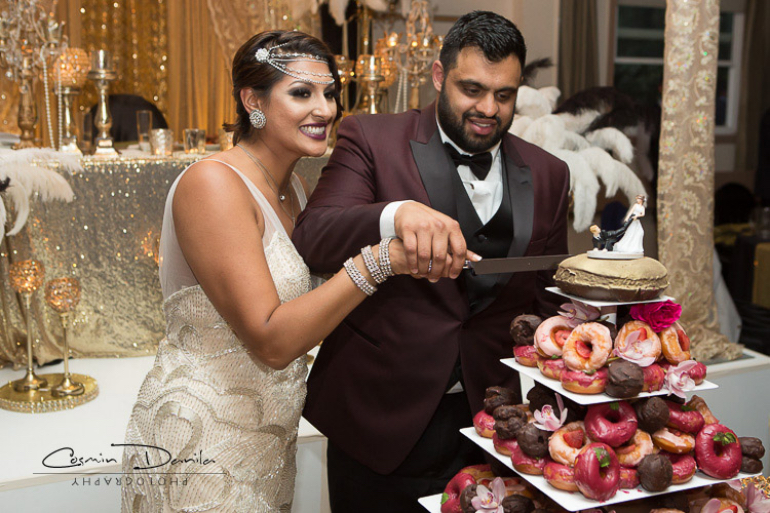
[{"x": 29, "y": 38}]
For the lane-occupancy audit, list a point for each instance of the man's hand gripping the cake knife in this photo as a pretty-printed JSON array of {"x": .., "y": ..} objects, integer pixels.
[{"x": 430, "y": 237}]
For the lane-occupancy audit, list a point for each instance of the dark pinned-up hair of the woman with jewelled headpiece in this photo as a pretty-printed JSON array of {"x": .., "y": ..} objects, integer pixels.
[{"x": 248, "y": 72}]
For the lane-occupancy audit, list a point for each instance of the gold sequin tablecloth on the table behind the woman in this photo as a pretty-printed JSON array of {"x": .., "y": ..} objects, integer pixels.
[{"x": 107, "y": 238}]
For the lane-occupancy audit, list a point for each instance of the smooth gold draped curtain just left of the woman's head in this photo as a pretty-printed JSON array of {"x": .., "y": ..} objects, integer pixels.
[{"x": 199, "y": 82}]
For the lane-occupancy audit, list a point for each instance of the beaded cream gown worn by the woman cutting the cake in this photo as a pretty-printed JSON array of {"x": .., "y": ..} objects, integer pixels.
[{"x": 228, "y": 421}]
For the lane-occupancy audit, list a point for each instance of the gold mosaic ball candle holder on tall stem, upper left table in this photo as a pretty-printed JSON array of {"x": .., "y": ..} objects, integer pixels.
[{"x": 69, "y": 74}]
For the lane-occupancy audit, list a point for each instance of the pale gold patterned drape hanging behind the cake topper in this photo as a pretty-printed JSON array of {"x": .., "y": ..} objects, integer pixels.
[{"x": 686, "y": 170}]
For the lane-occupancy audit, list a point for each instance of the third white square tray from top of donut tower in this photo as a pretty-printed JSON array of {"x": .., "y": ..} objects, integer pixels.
[{"x": 575, "y": 501}]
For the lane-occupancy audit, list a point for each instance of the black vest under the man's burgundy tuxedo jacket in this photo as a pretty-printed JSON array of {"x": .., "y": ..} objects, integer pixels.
[{"x": 491, "y": 240}]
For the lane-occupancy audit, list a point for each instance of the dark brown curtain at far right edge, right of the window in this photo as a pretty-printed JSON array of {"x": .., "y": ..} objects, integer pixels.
[{"x": 755, "y": 84}]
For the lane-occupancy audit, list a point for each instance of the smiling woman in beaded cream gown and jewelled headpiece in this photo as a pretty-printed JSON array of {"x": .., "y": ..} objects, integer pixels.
[{"x": 215, "y": 423}]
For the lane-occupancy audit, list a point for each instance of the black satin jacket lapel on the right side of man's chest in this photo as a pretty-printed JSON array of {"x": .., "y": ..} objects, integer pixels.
[{"x": 522, "y": 205}]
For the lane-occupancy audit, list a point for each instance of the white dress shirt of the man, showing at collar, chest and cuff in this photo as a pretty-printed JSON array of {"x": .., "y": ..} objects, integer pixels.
[{"x": 485, "y": 195}]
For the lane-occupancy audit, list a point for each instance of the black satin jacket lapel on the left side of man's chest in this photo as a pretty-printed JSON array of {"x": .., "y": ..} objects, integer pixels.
[{"x": 434, "y": 165}]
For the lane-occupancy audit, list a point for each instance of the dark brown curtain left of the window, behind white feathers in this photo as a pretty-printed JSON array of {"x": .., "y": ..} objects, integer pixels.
[{"x": 578, "y": 47}]
